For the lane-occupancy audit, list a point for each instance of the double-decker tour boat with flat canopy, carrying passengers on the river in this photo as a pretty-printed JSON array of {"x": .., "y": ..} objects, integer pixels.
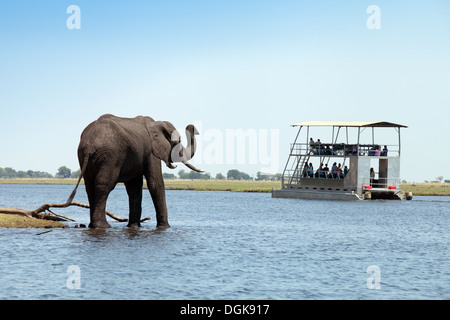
[{"x": 344, "y": 167}]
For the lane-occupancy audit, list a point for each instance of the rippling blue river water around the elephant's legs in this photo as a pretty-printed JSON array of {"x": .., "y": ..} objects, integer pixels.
[{"x": 224, "y": 245}]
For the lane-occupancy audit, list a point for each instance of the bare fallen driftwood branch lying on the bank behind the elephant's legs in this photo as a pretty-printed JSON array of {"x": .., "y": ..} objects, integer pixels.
[{"x": 39, "y": 213}]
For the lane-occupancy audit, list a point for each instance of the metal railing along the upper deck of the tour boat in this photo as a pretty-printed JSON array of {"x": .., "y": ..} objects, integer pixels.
[{"x": 343, "y": 149}]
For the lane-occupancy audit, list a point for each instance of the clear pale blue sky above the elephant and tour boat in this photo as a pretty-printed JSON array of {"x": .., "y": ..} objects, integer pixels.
[{"x": 251, "y": 65}]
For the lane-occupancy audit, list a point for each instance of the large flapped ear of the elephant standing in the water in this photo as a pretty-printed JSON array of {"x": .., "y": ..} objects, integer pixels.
[{"x": 164, "y": 137}]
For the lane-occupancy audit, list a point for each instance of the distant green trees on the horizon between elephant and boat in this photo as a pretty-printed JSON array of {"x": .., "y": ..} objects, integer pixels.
[{"x": 232, "y": 174}]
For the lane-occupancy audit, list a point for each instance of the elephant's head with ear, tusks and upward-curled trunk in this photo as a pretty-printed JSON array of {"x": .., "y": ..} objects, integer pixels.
[{"x": 166, "y": 144}]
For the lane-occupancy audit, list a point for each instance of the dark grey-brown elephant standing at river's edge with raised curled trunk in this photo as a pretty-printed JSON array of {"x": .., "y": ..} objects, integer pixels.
[{"x": 114, "y": 149}]
